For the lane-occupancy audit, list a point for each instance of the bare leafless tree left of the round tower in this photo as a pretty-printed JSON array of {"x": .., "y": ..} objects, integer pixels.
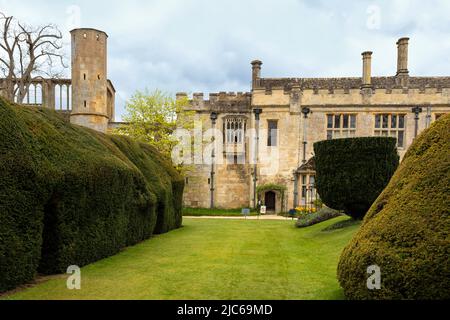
[{"x": 28, "y": 54}]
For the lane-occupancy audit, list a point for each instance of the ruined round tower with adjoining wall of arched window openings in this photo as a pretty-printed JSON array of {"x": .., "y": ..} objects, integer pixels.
[{"x": 88, "y": 98}]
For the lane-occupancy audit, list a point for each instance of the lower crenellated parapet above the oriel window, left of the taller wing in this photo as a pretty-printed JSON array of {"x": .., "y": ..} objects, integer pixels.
[{"x": 223, "y": 102}]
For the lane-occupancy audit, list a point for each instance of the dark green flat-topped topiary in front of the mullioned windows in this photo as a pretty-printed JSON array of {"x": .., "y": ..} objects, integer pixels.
[{"x": 351, "y": 173}]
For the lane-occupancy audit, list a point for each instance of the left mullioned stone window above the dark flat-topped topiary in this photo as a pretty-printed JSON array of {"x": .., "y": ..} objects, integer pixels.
[{"x": 341, "y": 131}]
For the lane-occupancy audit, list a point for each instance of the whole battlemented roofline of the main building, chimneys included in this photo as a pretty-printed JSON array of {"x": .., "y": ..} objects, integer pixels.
[{"x": 400, "y": 89}]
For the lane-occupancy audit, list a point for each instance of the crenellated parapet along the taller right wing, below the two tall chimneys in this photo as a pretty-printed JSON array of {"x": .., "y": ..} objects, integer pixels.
[{"x": 382, "y": 91}]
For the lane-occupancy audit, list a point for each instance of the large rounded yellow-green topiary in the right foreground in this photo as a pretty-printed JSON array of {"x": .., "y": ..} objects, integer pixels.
[{"x": 406, "y": 231}]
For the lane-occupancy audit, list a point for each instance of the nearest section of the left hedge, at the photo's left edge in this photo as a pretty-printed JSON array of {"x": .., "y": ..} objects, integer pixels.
[{"x": 21, "y": 209}]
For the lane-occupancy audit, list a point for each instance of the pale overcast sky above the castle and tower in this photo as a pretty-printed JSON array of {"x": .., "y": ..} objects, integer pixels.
[{"x": 207, "y": 46}]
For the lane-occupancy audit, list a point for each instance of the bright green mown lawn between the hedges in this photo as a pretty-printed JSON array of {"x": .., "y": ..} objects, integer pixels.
[{"x": 215, "y": 259}]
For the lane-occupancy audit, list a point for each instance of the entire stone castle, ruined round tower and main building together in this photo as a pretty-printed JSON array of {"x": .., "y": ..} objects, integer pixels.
[{"x": 265, "y": 149}]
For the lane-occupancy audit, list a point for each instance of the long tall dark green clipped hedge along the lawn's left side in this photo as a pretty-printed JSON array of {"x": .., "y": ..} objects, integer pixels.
[{"x": 72, "y": 196}]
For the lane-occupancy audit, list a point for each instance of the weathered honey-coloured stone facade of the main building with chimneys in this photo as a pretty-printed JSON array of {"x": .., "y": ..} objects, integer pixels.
[{"x": 300, "y": 112}]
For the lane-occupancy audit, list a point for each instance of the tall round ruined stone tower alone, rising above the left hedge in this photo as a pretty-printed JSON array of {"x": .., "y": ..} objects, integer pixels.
[{"x": 90, "y": 105}]
